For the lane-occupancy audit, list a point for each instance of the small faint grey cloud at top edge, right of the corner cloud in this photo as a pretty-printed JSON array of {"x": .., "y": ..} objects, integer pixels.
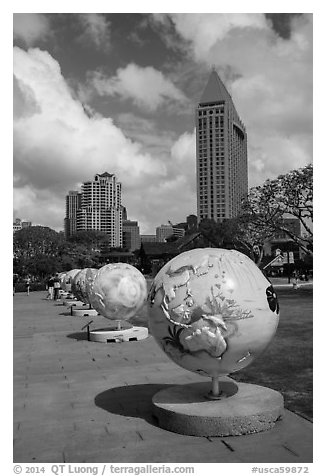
[{"x": 96, "y": 29}]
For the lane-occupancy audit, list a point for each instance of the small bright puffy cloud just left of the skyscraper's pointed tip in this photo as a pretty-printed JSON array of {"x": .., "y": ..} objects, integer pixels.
[{"x": 147, "y": 87}]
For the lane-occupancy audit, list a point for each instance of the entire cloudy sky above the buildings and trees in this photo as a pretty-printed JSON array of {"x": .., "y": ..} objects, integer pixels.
[{"x": 117, "y": 92}]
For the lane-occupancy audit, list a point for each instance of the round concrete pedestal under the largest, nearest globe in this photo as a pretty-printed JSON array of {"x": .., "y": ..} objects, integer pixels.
[{"x": 242, "y": 409}]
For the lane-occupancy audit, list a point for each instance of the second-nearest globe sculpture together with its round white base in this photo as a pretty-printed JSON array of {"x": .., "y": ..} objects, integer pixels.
[{"x": 117, "y": 293}]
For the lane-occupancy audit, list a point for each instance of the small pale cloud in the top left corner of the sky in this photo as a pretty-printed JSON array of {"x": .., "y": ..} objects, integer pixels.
[{"x": 30, "y": 27}]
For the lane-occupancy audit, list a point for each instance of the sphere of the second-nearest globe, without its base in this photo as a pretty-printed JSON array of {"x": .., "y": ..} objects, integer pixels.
[{"x": 119, "y": 291}]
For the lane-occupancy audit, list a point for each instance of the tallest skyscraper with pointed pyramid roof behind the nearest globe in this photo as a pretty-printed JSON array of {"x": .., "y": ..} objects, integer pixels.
[{"x": 221, "y": 154}]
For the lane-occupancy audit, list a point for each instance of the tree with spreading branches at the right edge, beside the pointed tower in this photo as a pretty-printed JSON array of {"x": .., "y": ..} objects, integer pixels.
[{"x": 290, "y": 194}]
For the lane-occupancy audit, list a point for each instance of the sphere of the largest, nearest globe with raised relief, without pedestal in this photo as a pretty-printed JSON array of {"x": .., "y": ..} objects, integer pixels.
[{"x": 212, "y": 311}]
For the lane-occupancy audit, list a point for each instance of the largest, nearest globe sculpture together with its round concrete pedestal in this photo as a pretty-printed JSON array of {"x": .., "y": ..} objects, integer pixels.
[{"x": 212, "y": 312}]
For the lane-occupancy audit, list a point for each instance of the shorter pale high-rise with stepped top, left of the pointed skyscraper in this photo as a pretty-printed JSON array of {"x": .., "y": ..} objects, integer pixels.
[{"x": 101, "y": 208}]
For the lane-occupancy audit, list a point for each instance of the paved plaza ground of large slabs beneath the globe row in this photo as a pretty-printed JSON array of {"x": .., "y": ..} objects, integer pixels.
[{"x": 84, "y": 402}]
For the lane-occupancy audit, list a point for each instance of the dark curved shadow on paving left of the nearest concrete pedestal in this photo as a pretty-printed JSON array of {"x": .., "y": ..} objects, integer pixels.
[{"x": 131, "y": 400}]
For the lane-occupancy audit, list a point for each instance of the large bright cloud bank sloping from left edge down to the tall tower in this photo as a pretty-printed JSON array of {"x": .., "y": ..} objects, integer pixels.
[{"x": 57, "y": 146}]
